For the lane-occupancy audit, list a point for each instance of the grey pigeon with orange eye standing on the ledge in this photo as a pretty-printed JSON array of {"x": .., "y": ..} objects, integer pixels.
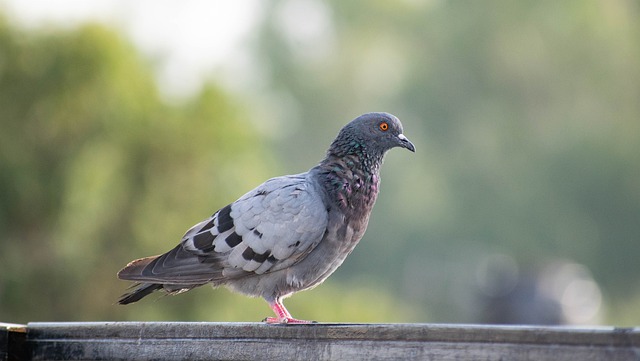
[{"x": 286, "y": 235}]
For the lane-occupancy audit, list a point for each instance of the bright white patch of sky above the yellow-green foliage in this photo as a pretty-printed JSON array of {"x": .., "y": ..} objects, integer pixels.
[{"x": 189, "y": 40}]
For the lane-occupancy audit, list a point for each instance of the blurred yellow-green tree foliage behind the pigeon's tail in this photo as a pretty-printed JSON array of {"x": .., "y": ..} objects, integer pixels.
[{"x": 95, "y": 170}]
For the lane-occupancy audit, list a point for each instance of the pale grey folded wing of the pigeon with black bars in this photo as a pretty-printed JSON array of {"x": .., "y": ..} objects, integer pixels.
[{"x": 268, "y": 229}]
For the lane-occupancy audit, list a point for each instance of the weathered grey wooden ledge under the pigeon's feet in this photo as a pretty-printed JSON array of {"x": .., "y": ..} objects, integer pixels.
[{"x": 257, "y": 341}]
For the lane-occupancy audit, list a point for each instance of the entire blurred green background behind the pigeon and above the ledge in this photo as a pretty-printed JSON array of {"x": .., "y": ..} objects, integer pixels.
[{"x": 122, "y": 124}]
